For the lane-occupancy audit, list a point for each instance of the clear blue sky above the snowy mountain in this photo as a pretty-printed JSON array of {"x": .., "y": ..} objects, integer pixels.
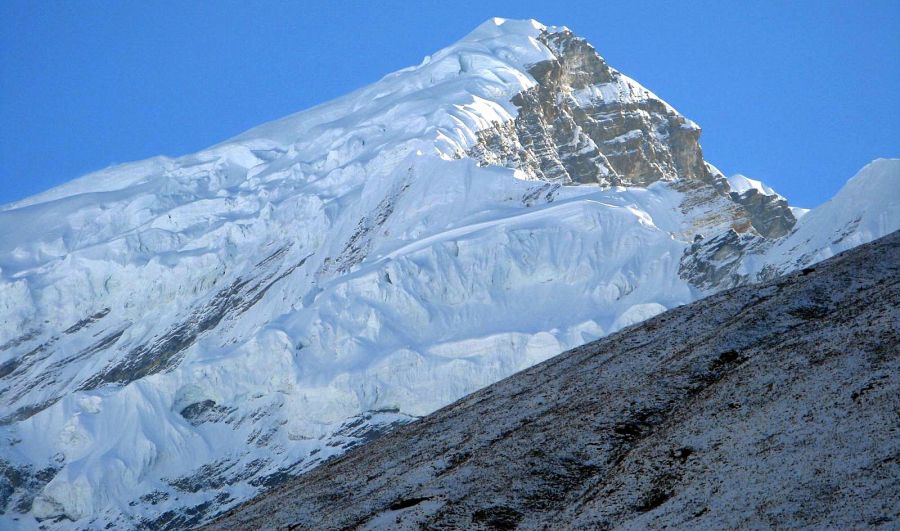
[{"x": 798, "y": 94}]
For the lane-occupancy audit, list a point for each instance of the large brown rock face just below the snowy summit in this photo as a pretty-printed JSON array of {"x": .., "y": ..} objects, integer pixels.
[{"x": 584, "y": 122}]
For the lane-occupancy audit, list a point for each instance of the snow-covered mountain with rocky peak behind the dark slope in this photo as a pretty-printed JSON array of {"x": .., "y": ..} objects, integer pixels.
[{"x": 178, "y": 334}]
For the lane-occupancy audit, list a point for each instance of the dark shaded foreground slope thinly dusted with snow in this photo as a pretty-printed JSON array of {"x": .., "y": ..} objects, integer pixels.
[{"x": 767, "y": 405}]
